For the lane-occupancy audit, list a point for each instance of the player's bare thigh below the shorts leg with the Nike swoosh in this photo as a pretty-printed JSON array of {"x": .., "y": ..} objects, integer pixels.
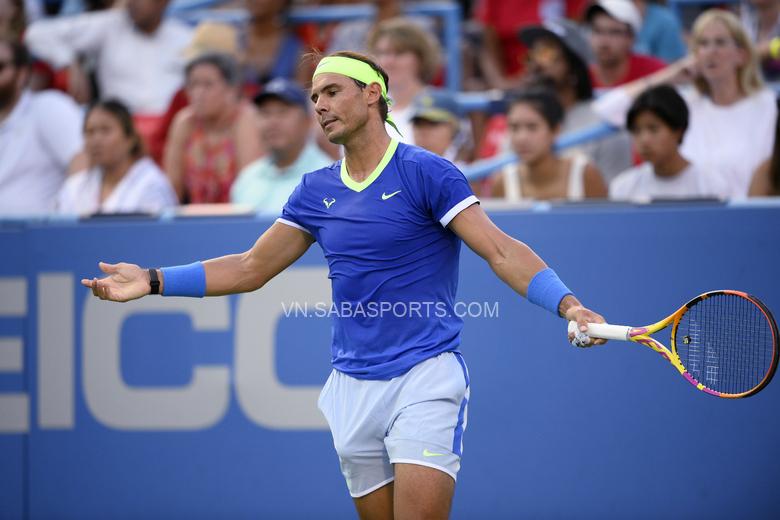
[{"x": 421, "y": 492}]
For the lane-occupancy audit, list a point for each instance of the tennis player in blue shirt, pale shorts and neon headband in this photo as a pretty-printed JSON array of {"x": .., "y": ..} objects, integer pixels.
[{"x": 390, "y": 219}]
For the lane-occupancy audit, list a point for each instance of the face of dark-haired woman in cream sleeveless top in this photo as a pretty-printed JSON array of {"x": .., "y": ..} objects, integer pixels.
[{"x": 530, "y": 135}]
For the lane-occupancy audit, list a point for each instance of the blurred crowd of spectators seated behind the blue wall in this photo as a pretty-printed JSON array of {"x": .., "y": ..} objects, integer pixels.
[{"x": 134, "y": 107}]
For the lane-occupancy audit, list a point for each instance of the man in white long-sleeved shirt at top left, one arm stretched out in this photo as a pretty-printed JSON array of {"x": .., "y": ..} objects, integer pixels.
[{"x": 118, "y": 41}]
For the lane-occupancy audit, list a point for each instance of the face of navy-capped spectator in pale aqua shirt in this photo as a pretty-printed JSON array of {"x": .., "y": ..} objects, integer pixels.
[{"x": 282, "y": 126}]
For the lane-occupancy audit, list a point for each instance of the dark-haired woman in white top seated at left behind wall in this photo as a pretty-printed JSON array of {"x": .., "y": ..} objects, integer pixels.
[{"x": 121, "y": 179}]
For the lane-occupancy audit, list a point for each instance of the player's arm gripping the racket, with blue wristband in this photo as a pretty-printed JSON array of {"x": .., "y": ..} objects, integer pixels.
[{"x": 519, "y": 267}]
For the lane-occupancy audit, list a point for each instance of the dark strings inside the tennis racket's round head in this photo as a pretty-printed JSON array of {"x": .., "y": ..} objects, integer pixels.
[{"x": 726, "y": 342}]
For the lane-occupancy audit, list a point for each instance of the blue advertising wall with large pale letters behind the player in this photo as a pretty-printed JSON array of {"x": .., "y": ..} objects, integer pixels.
[{"x": 182, "y": 408}]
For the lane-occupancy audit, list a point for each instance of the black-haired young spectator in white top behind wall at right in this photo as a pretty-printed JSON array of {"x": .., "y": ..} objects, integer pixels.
[{"x": 657, "y": 121}]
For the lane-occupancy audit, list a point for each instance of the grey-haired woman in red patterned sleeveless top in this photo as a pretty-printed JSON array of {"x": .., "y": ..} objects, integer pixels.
[{"x": 214, "y": 137}]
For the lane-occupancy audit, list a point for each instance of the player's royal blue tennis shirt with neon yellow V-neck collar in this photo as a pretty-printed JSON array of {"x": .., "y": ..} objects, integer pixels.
[{"x": 393, "y": 263}]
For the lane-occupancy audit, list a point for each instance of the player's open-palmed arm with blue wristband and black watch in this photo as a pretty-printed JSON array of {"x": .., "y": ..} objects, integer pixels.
[{"x": 274, "y": 251}]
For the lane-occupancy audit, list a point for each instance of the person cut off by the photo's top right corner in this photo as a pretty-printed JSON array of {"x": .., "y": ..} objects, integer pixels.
[{"x": 761, "y": 19}]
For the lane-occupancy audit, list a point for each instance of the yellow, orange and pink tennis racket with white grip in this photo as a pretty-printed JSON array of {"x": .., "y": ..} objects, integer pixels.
[{"x": 723, "y": 342}]
